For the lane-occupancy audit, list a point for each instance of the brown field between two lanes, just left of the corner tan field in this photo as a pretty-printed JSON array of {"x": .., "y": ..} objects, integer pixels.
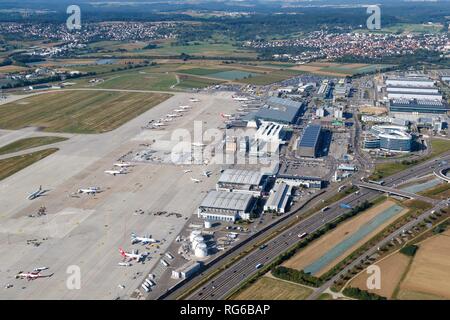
[{"x": 392, "y": 270}]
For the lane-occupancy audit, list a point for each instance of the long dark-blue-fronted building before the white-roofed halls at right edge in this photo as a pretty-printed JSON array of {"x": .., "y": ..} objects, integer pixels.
[{"x": 417, "y": 107}]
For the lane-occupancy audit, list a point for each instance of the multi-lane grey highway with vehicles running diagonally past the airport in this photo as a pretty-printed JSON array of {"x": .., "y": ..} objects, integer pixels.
[{"x": 223, "y": 284}]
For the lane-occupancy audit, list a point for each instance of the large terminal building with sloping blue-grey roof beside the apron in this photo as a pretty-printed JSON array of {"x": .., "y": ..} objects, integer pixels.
[{"x": 278, "y": 110}]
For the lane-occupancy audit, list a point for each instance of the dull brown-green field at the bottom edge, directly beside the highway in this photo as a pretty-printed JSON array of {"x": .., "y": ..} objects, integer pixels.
[{"x": 269, "y": 288}]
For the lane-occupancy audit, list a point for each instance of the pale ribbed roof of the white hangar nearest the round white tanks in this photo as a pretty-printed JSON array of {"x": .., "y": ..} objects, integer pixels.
[{"x": 227, "y": 200}]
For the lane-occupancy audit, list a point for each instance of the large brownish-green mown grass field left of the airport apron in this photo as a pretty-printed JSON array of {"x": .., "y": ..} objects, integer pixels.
[{"x": 77, "y": 111}]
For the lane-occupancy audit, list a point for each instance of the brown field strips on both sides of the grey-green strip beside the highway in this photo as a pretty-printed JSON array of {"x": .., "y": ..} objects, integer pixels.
[{"x": 321, "y": 246}]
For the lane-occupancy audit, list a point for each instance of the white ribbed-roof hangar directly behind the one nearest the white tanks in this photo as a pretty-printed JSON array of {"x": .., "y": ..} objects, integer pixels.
[{"x": 243, "y": 181}]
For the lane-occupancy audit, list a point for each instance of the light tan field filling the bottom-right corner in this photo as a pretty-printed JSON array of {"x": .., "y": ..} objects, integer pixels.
[{"x": 429, "y": 273}]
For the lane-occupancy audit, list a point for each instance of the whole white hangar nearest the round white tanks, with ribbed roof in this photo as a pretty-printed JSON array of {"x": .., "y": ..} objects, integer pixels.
[{"x": 226, "y": 206}]
